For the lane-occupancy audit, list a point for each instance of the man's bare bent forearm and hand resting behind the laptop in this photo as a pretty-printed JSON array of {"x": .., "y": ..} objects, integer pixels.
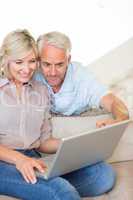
[{"x": 113, "y": 104}]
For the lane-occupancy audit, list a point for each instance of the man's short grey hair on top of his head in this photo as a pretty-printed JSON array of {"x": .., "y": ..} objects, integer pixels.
[{"x": 56, "y": 39}]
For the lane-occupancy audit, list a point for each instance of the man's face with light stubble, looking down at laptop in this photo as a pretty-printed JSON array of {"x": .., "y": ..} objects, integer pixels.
[{"x": 54, "y": 62}]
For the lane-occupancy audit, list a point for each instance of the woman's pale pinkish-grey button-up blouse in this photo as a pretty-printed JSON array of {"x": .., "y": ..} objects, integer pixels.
[{"x": 24, "y": 122}]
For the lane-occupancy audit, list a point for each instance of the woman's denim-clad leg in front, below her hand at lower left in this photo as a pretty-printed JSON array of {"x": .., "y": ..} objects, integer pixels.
[{"x": 13, "y": 184}]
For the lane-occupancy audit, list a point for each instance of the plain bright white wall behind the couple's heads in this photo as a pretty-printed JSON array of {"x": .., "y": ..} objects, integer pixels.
[{"x": 94, "y": 26}]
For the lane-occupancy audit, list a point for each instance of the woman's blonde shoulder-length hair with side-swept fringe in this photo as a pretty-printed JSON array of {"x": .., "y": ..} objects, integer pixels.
[{"x": 15, "y": 46}]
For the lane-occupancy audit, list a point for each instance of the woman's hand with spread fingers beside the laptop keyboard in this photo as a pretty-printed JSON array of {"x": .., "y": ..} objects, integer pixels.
[{"x": 27, "y": 166}]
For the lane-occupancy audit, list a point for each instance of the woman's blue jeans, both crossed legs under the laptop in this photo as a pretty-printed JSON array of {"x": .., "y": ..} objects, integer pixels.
[{"x": 90, "y": 181}]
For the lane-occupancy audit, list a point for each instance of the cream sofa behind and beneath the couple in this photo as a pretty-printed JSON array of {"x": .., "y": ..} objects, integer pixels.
[{"x": 115, "y": 69}]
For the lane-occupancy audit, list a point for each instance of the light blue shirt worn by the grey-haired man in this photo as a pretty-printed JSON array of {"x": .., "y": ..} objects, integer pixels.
[{"x": 79, "y": 91}]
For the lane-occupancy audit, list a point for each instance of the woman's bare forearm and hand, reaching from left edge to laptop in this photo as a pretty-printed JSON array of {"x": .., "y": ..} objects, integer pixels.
[{"x": 23, "y": 163}]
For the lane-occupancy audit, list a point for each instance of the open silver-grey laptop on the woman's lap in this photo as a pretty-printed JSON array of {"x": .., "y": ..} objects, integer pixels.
[{"x": 84, "y": 149}]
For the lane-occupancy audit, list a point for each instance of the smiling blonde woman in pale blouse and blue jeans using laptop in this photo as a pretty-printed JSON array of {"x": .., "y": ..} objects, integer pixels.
[{"x": 25, "y": 125}]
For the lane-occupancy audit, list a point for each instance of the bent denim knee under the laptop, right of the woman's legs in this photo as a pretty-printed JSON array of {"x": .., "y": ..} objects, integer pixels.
[{"x": 93, "y": 180}]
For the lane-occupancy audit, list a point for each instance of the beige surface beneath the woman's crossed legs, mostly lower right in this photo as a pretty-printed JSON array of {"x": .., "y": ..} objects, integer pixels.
[{"x": 124, "y": 186}]
